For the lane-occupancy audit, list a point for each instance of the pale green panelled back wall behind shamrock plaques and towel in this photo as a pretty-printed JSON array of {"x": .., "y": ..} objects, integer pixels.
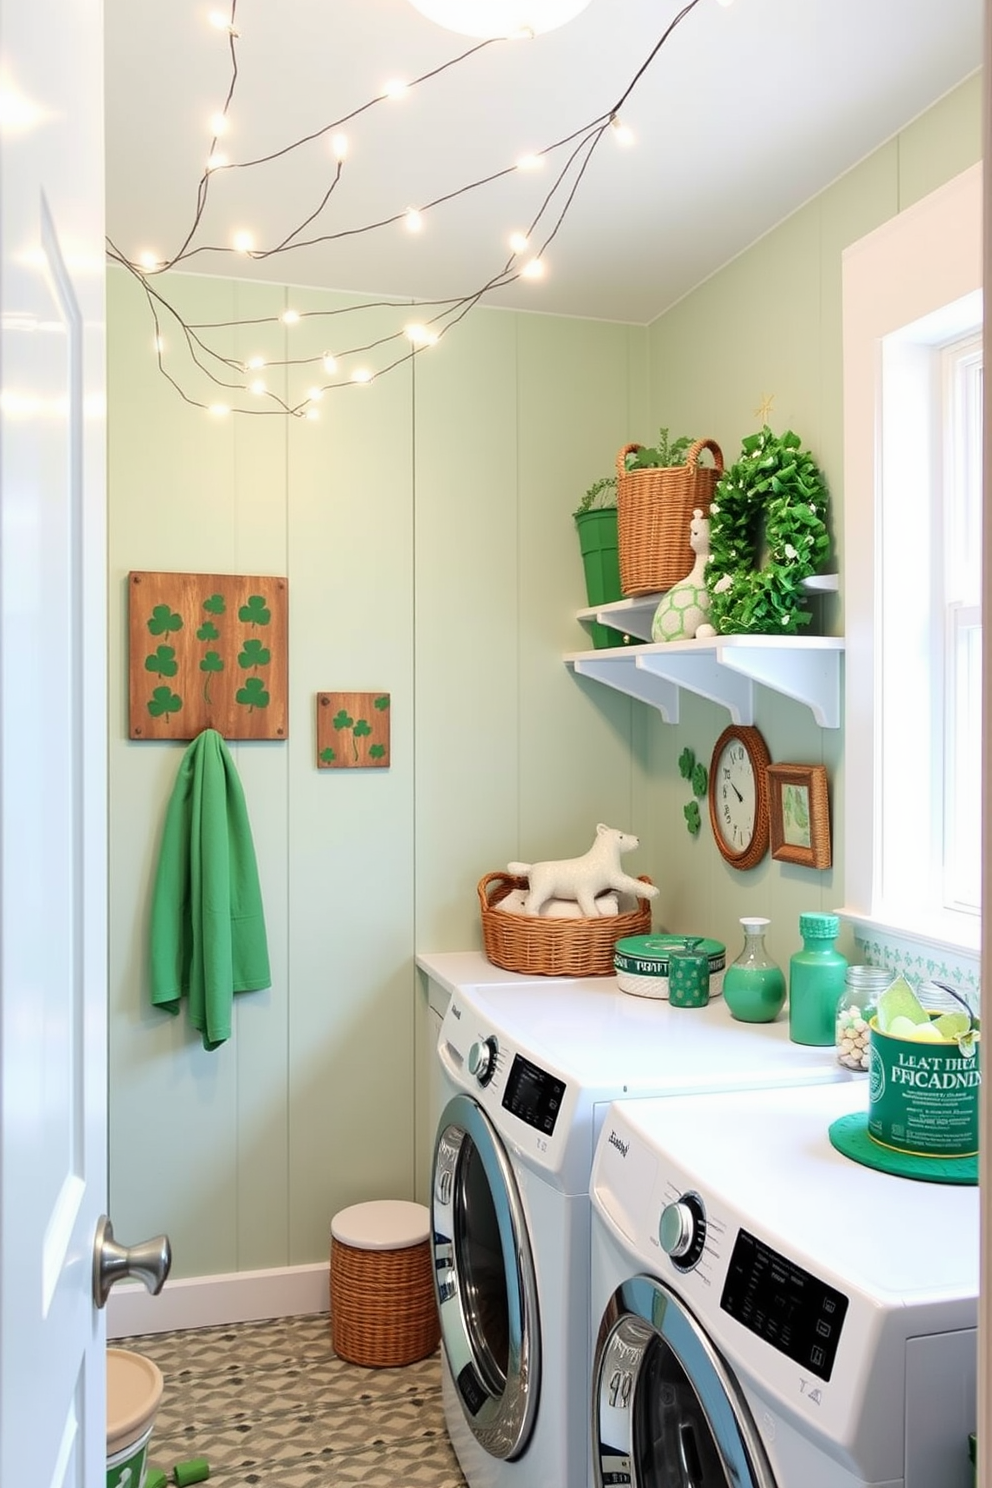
[{"x": 425, "y": 526}]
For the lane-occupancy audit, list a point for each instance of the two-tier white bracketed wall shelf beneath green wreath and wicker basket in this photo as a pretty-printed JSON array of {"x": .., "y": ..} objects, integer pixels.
[{"x": 722, "y": 669}]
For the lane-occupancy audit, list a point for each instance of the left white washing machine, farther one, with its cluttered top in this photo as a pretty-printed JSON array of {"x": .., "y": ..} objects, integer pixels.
[{"x": 530, "y": 1069}]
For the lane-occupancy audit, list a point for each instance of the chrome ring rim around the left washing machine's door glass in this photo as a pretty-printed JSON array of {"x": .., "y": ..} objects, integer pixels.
[{"x": 505, "y": 1420}]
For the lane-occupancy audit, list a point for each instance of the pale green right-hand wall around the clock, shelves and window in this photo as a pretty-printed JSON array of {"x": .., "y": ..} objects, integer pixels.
[{"x": 770, "y": 324}]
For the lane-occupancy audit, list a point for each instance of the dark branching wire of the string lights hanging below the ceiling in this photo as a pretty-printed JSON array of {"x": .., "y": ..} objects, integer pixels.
[{"x": 553, "y": 212}]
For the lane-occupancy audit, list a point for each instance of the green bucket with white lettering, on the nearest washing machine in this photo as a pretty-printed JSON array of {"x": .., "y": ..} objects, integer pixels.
[{"x": 924, "y": 1097}]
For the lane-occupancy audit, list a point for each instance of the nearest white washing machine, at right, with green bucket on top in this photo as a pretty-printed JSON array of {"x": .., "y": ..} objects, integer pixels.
[{"x": 770, "y": 1313}]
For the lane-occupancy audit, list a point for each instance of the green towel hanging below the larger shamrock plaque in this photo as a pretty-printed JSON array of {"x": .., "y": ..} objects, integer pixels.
[{"x": 207, "y": 925}]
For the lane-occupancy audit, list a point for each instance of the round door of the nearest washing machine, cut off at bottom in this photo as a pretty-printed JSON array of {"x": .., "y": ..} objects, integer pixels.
[{"x": 667, "y": 1411}]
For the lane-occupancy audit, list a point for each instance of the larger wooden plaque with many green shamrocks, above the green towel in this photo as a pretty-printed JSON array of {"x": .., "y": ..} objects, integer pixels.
[{"x": 207, "y": 652}]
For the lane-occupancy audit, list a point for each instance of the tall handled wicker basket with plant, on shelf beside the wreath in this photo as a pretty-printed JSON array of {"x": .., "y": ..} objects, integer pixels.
[{"x": 654, "y": 514}]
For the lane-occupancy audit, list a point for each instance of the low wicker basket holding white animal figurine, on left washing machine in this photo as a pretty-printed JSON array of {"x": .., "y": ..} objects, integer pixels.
[{"x": 542, "y": 947}]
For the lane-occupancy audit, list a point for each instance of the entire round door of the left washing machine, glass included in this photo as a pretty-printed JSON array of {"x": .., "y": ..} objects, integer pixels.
[{"x": 486, "y": 1282}]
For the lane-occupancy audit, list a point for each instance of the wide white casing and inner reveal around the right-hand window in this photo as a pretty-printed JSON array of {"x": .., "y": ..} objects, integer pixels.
[{"x": 909, "y": 291}]
